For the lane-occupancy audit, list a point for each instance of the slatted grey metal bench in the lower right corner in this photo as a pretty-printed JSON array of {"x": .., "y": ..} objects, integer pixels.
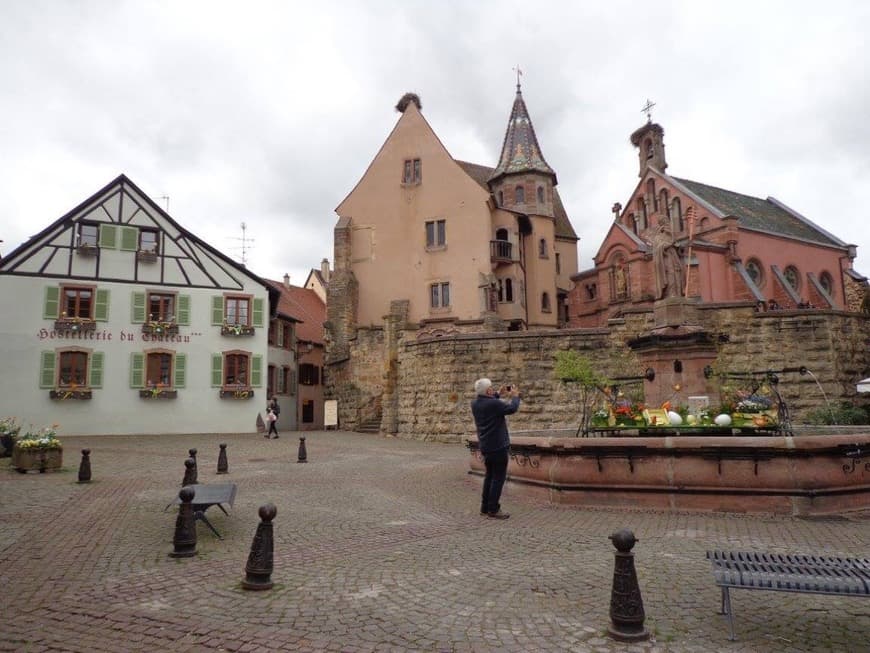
[{"x": 787, "y": 573}]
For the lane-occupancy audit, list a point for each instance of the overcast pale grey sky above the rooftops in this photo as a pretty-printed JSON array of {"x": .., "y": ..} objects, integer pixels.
[{"x": 268, "y": 113}]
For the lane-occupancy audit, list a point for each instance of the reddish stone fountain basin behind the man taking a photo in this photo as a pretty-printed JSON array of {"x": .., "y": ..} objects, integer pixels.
[{"x": 800, "y": 475}]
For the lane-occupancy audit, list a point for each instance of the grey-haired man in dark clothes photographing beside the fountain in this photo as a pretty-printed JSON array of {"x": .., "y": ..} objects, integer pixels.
[{"x": 489, "y": 412}]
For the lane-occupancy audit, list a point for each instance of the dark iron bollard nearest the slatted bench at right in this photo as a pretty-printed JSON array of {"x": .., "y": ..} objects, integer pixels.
[{"x": 626, "y": 603}]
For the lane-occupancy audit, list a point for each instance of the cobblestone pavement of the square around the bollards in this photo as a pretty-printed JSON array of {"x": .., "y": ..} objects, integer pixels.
[{"x": 378, "y": 547}]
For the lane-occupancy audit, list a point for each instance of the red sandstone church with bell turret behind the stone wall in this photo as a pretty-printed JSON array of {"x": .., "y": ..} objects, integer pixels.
[{"x": 680, "y": 238}]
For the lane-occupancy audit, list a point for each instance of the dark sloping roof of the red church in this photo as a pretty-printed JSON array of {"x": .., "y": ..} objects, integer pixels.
[{"x": 766, "y": 215}]
